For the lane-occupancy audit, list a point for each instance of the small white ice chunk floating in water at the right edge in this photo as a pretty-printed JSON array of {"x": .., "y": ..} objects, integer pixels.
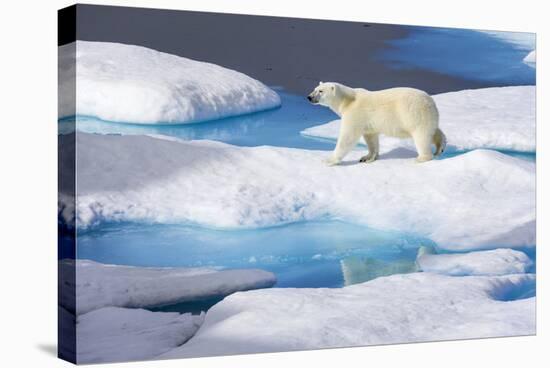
[{"x": 490, "y": 262}]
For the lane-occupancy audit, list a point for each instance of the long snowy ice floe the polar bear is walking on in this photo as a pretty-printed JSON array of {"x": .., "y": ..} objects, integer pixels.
[{"x": 480, "y": 199}]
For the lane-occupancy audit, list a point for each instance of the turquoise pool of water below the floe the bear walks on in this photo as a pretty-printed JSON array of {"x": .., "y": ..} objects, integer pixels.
[{"x": 305, "y": 254}]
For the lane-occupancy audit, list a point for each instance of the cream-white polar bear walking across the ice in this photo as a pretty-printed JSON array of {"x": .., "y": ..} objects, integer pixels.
[{"x": 396, "y": 112}]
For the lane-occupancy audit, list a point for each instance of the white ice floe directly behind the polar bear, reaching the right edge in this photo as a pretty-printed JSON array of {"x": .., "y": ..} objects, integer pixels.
[{"x": 501, "y": 118}]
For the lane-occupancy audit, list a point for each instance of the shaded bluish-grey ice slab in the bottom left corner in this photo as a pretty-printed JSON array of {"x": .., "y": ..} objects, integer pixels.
[{"x": 119, "y": 334}]
